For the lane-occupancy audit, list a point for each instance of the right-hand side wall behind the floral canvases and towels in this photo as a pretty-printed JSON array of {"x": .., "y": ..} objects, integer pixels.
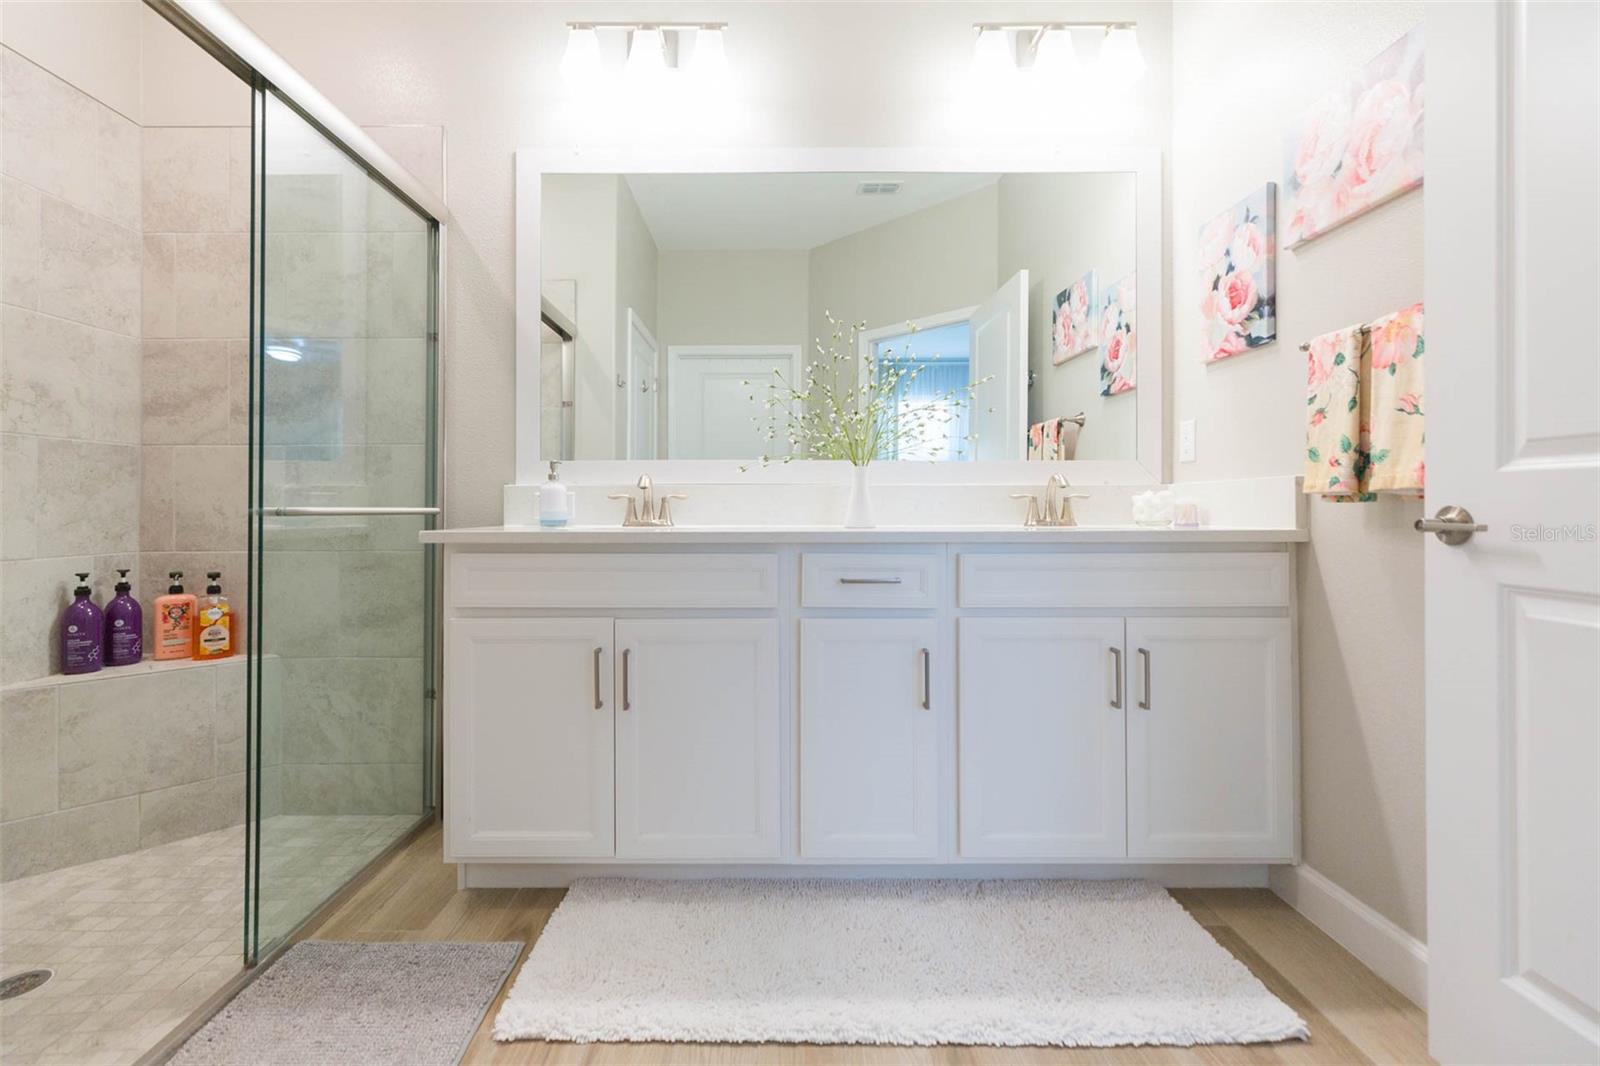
[{"x": 1242, "y": 71}]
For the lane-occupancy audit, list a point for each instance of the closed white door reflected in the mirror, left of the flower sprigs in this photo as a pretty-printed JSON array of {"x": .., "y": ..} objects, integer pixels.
[{"x": 710, "y": 411}]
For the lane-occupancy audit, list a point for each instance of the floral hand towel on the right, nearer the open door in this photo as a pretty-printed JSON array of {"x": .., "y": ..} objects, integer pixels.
[{"x": 1396, "y": 407}]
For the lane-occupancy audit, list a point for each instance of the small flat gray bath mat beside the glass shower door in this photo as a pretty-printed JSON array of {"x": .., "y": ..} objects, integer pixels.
[{"x": 348, "y": 1003}]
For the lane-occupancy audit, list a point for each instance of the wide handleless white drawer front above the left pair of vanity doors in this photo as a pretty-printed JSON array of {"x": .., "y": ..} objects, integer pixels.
[{"x": 612, "y": 580}]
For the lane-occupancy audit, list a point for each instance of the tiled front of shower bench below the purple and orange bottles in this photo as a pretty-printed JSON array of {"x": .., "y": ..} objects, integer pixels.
[{"x": 106, "y": 764}]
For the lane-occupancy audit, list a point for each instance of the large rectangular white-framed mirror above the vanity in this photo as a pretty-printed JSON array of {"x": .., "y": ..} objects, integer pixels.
[{"x": 1009, "y": 308}]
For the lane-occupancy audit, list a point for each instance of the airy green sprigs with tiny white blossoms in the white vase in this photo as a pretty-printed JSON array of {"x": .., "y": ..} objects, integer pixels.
[{"x": 854, "y": 407}]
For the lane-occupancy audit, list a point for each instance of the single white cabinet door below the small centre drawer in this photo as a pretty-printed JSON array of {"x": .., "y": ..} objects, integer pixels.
[{"x": 868, "y": 739}]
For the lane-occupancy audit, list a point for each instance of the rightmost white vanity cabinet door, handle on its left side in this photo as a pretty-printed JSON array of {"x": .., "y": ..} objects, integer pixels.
[{"x": 1212, "y": 758}]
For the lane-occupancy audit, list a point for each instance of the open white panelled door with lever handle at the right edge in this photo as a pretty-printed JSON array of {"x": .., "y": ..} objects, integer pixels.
[{"x": 1514, "y": 614}]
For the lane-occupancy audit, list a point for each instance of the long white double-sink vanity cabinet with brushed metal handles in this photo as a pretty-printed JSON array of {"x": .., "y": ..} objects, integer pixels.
[{"x": 833, "y": 699}]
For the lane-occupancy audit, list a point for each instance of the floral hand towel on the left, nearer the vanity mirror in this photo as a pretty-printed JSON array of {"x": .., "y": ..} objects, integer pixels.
[{"x": 1335, "y": 447}]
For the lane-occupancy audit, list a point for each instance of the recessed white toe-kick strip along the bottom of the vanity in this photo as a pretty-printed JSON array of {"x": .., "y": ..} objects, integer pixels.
[{"x": 562, "y": 875}]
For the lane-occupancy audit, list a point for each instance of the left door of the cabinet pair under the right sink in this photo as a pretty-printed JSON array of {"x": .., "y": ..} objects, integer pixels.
[{"x": 1042, "y": 753}]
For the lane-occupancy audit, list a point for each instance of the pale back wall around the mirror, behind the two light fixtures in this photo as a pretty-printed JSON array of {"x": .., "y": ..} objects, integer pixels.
[{"x": 801, "y": 74}]
